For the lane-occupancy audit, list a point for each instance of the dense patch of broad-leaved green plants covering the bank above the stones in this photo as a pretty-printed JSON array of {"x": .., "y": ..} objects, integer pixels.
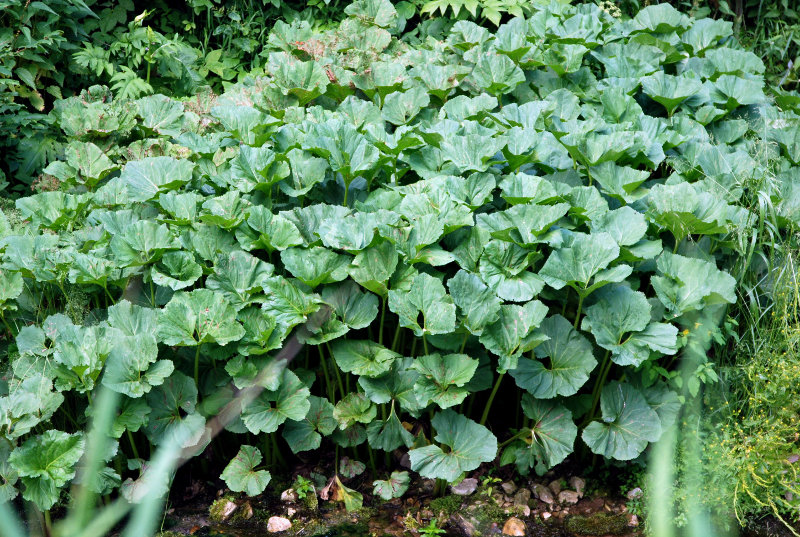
[{"x": 511, "y": 235}]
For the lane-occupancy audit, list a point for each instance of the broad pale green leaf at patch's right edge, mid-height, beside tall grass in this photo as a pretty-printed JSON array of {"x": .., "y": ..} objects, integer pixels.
[{"x": 686, "y": 284}]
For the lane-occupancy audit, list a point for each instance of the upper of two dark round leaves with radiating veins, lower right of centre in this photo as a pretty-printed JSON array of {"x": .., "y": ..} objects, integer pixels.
[{"x": 571, "y": 362}]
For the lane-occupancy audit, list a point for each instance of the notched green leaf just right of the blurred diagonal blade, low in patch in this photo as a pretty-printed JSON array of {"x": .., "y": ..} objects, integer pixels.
[{"x": 290, "y": 402}]
